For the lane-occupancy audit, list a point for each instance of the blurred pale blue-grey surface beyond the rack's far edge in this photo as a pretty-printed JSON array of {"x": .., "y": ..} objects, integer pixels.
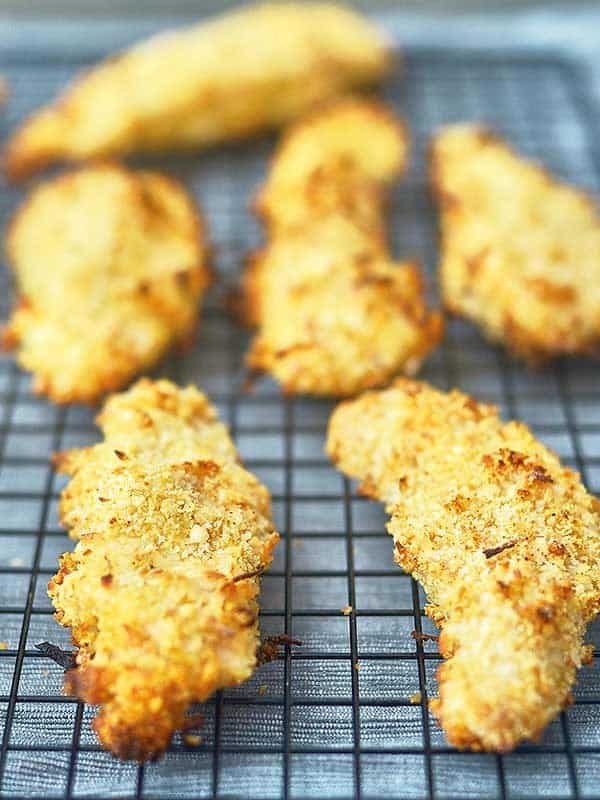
[{"x": 99, "y": 25}]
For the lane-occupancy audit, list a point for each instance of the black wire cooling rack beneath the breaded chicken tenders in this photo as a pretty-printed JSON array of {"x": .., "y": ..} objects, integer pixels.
[{"x": 339, "y": 717}]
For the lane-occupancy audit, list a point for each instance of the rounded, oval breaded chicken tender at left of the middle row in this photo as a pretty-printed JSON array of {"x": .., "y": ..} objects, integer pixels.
[{"x": 110, "y": 268}]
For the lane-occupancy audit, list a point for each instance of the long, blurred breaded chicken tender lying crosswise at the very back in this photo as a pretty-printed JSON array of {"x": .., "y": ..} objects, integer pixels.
[{"x": 221, "y": 80}]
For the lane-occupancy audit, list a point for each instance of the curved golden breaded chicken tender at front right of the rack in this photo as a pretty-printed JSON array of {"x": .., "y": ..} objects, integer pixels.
[{"x": 504, "y": 539}]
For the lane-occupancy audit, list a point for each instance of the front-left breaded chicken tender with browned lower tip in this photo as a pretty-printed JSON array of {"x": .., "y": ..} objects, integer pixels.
[{"x": 160, "y": 592}]
